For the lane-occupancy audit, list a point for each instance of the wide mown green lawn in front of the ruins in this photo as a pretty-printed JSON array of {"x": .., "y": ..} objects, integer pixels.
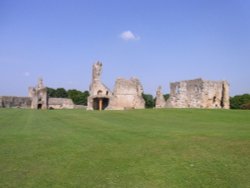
[{"x": 137, "y": 148}]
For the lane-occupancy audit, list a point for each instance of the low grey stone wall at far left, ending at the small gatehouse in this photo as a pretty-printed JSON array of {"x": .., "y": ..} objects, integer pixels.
[{"x": 15, "y": 102}]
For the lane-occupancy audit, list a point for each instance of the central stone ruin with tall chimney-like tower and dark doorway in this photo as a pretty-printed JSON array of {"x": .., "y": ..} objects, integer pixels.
[{"x": 127, "y": 93}]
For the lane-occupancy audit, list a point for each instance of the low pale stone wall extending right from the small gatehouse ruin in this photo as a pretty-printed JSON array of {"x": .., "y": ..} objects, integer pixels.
[{"x": 60, "y": 103}]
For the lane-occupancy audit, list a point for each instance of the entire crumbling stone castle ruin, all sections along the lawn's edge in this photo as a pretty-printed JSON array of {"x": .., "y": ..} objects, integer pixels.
[{"x": 127, "y": 94}]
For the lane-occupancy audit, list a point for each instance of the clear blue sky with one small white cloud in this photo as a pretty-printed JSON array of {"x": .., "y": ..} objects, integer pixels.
[{"x": 158, "y": 41}]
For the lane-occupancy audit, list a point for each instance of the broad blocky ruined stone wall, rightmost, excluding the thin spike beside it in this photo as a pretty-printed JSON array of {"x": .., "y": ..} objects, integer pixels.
[{"x": 199, "y": 93}]
